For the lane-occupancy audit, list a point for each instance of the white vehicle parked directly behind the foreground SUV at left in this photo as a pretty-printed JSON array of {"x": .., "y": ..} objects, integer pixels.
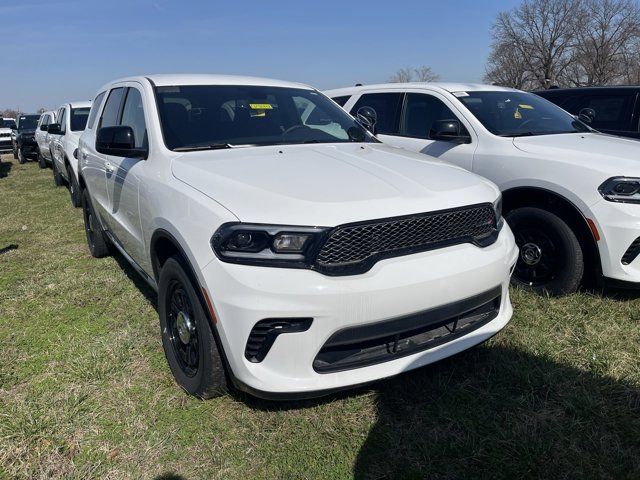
[{"x": 63, "y": 141}]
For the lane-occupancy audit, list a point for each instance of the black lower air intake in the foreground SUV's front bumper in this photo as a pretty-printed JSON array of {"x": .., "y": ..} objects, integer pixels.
[{"x": 361, "y": 346}]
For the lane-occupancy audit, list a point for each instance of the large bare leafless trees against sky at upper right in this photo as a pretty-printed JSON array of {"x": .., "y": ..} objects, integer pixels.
[{"x": 566, "y": 43}]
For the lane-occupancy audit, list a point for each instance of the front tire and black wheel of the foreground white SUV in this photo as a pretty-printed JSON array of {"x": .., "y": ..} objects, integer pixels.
[{"x": 187, "y": 338}]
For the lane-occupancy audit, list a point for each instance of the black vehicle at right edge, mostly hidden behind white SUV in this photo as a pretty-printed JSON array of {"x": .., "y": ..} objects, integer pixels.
[{"x": 613, "y": 110}]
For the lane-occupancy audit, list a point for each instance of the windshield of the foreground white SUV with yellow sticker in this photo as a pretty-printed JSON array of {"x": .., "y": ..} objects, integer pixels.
[{"x": 203, "y": 116}]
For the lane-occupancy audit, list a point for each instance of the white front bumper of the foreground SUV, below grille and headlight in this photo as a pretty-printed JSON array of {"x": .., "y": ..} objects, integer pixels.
[{"x": 244, "y": 295}]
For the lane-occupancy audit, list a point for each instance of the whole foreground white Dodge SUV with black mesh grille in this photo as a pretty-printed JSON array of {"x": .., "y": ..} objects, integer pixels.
[{"x": 288, "y": 247}]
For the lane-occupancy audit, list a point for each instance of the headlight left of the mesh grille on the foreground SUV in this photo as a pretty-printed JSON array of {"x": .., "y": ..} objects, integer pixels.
[{"x": 268, "y": 245}]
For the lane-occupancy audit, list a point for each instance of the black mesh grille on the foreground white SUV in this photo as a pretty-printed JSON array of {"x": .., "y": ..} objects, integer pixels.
[{"x": 350, "y": 245}]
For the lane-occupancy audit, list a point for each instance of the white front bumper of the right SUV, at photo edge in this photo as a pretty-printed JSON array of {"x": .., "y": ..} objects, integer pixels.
[{"x": 619, "y": 226}]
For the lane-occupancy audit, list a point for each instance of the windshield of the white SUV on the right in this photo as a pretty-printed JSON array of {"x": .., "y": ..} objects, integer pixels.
[{"x": 515, "y": 114}]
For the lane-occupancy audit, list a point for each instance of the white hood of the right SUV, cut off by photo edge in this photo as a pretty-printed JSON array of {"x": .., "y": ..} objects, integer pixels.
[{"x": 597, "y": 151}]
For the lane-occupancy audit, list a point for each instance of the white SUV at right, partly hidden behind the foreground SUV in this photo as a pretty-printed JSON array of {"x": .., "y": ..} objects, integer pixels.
[{"x": 568, "y": 191}]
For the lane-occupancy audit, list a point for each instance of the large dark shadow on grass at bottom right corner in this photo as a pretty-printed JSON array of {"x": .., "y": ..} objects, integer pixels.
[{"x": 500, "y": 413}]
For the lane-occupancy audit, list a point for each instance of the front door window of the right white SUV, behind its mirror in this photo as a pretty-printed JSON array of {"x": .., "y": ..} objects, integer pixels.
[{"x": 420, "y": 111}]
